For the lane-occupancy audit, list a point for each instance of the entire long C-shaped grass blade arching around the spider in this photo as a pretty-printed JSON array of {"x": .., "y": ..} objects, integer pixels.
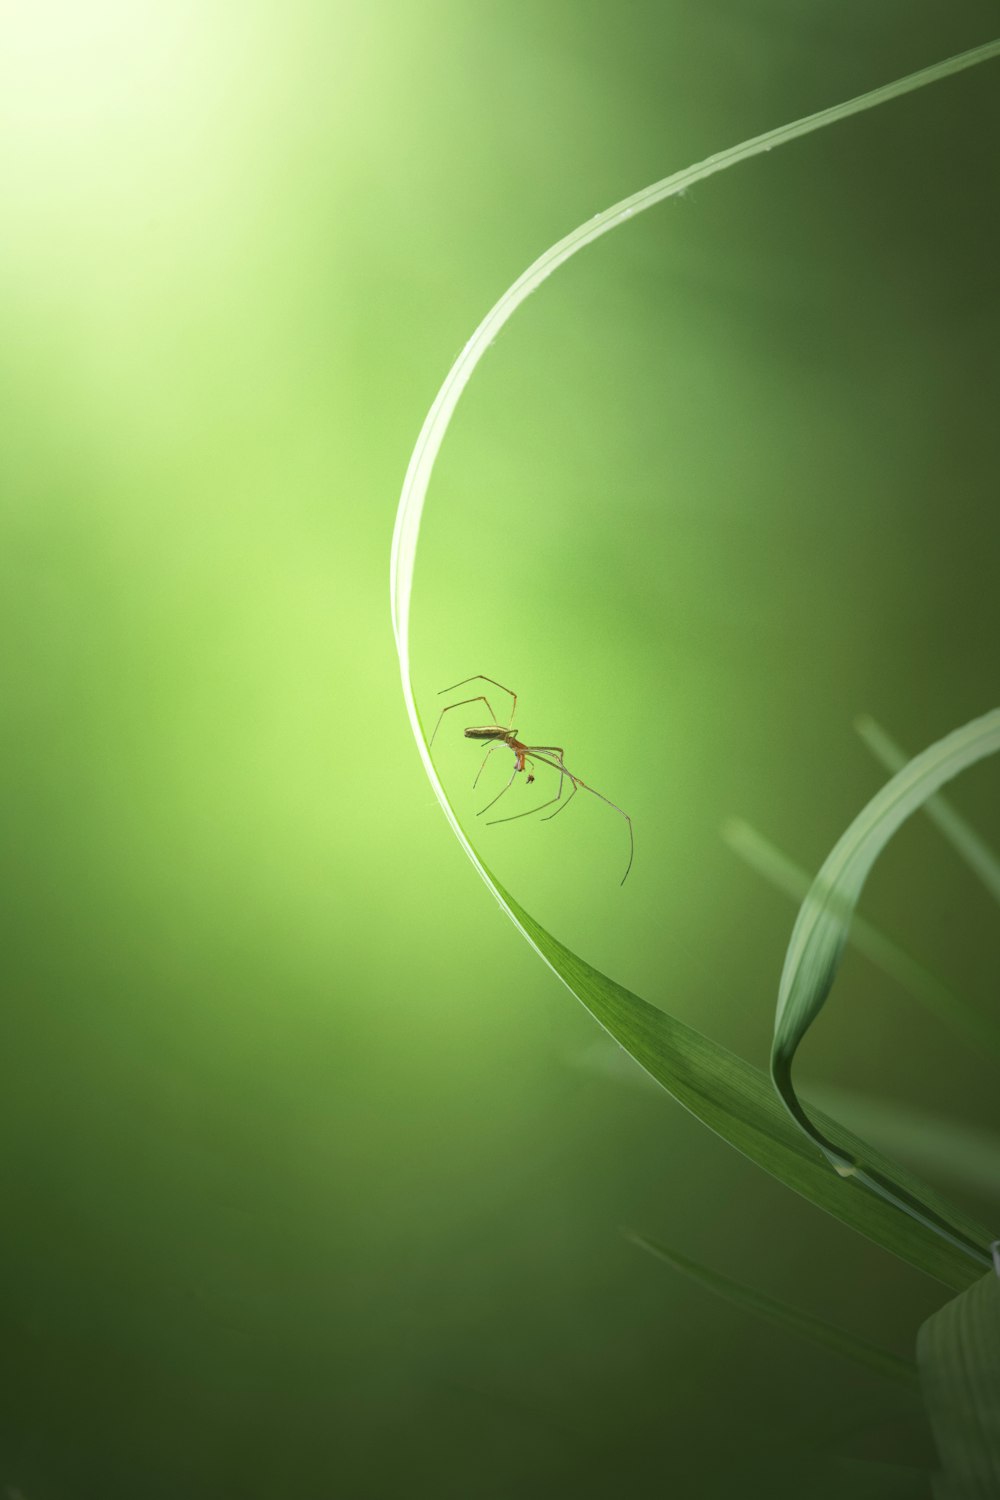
[{"x": 746, "y": 1111}]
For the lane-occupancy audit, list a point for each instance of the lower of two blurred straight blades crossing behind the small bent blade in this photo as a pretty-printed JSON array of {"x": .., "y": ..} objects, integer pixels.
[{"x": 894, "y": 961}]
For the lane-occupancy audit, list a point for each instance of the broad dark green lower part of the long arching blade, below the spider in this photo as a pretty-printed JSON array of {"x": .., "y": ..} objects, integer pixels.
[{"x": 738, "y": 1103}]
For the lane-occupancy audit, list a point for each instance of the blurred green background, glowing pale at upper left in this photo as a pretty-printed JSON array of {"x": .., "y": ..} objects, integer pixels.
[{"x": 313, "y": 1177}]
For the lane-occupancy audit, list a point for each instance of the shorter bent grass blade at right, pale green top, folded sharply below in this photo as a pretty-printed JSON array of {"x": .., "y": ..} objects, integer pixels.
[{"x": 821, "y": 931}]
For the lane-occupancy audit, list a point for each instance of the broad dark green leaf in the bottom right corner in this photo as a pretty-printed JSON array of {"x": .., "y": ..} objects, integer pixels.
[{"x": 959, "y": 1358}]
